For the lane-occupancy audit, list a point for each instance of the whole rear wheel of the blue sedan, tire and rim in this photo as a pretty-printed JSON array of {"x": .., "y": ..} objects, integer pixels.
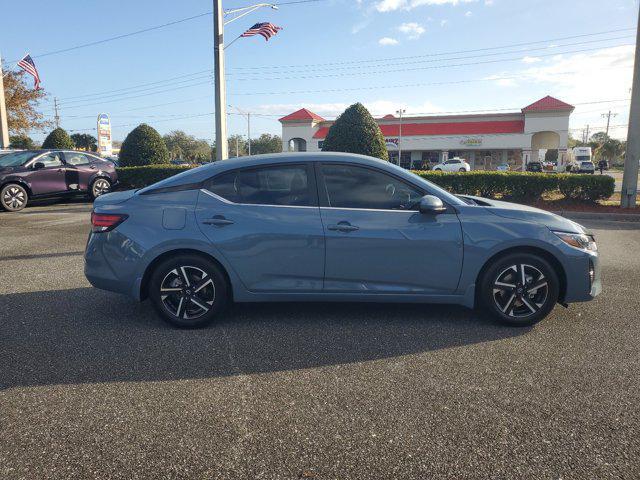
[{"x": 188, "y": 291}]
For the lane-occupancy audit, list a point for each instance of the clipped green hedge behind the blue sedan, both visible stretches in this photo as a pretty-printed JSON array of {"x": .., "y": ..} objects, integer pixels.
[{"x": 507, "y": 185}]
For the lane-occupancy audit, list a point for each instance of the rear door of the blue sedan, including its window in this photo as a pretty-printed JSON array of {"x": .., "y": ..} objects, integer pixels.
[{"x": 266, "y": 223}]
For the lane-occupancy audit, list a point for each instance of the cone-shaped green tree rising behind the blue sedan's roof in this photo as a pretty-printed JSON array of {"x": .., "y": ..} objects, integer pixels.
[{"x": 355, "y": 131}]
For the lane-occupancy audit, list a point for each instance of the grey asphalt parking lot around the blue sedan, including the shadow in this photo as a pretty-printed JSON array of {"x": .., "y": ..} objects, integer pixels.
[{"x": 93, "y": 385}]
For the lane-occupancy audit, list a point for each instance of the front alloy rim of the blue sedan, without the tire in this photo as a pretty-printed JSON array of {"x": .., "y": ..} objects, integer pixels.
[{"x": 520, "y": 290}]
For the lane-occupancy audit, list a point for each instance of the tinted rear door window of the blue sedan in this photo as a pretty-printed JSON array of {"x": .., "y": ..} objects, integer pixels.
[{"x": 275, "y": 185}]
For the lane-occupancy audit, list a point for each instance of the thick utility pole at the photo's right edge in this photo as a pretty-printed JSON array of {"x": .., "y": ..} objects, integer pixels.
[{"x": 632, "y": 156}]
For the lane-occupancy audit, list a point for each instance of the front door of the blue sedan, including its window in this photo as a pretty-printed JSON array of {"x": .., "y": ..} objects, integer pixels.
[{"x": 375, "y": 244}]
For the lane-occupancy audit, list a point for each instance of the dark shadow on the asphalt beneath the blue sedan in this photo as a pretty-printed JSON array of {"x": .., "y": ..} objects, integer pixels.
[{"x": 87, "y": 335}]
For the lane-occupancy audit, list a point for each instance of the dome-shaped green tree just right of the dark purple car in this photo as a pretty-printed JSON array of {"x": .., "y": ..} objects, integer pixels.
[{"x": 143, "y": 146}]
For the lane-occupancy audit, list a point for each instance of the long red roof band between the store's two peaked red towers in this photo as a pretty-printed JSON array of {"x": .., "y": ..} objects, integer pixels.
[{"x": 451, "y": 128}]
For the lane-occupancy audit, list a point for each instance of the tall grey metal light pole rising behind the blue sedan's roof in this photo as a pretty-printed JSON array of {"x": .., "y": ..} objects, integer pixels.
[{"x": 222, "y": 149}]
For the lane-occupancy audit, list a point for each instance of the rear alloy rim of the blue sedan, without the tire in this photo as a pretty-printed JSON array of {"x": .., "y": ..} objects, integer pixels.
[{"x": 187, "y": 292}]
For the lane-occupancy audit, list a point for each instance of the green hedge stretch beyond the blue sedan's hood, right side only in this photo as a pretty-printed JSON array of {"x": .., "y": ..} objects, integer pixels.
[{"x": 523, "y": 186}]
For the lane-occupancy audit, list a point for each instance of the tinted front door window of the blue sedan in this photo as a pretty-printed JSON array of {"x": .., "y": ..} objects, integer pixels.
[{"x": 348, "y": 186}]
